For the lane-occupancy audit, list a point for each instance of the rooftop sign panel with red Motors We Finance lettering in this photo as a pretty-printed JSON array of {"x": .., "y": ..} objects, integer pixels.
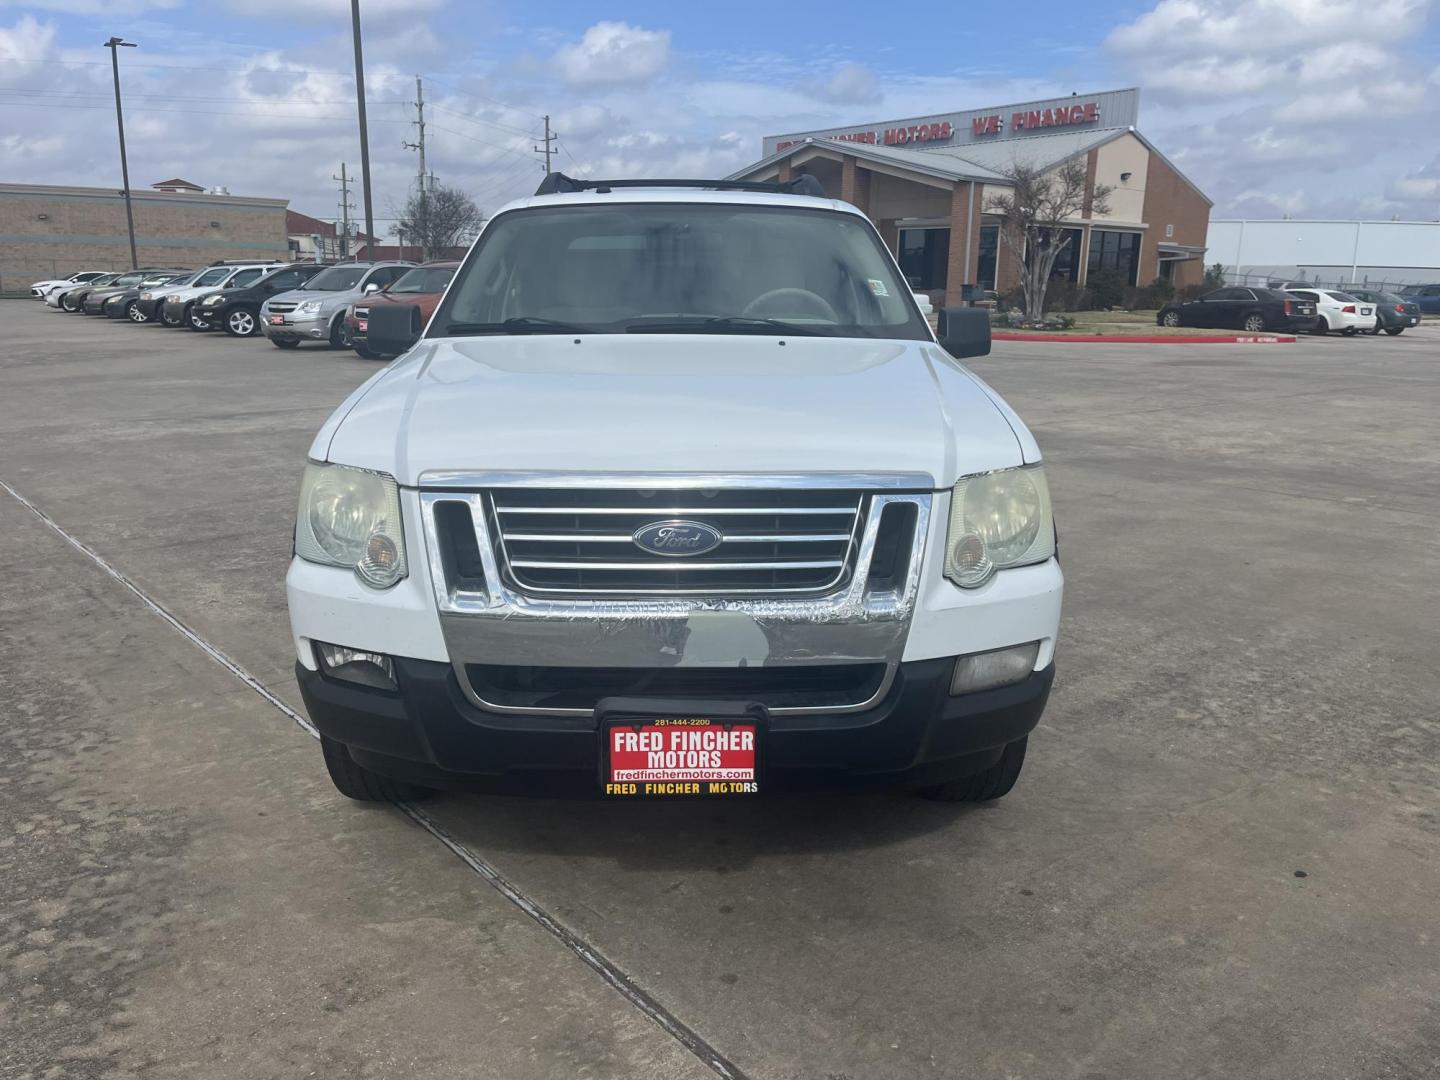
[{"x": 1111, "y": 109}]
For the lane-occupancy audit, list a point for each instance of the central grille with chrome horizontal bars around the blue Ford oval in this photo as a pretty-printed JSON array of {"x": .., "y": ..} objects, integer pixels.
[{"x": 581, "y": 542}]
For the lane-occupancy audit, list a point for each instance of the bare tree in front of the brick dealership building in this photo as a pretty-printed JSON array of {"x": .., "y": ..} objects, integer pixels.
[{"x": 1033, "y": 214}]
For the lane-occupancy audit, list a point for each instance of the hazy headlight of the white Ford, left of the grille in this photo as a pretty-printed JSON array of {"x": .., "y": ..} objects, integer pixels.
[{"x": 352, "y": 518}]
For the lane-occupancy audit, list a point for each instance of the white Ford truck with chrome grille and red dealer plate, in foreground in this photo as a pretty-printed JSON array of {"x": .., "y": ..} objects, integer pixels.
[{"x": 676, "y": 495}]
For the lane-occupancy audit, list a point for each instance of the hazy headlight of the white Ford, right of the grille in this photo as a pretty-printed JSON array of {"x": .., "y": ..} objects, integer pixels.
[{"x": 999, "y": 521}]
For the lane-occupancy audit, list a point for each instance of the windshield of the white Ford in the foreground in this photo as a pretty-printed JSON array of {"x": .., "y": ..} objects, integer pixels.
[{"x": 719, "y": 269}]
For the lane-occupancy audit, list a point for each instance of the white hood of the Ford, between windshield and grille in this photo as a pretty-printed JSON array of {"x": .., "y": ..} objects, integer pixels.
[{"x": 675, "y": 404}]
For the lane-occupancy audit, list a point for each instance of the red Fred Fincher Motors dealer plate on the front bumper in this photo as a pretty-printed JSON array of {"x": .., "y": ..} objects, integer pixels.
[{"x": 683, "y": 757}]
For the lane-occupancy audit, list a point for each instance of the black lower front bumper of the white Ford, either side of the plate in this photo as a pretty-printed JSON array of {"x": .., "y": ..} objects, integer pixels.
[{"x": 431, "y": 734}]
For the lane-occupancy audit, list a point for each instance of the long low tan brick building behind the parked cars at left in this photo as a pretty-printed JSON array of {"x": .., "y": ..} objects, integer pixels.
[{"x": 48, "y": 233}]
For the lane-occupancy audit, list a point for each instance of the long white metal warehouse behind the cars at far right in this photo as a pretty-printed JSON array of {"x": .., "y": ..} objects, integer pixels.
[{"x": 1327, "y": 253}]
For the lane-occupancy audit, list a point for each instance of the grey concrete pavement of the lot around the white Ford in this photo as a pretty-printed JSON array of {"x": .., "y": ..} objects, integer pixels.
[{"x": 1246, "y": 695}]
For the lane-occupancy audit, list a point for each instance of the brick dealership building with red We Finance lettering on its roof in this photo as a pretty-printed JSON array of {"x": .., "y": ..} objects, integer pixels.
[{"x": 927, "y": 184}]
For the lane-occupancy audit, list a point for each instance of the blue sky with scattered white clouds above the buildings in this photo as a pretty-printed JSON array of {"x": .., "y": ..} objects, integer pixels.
[{"x": 1323, "y": 109}]
